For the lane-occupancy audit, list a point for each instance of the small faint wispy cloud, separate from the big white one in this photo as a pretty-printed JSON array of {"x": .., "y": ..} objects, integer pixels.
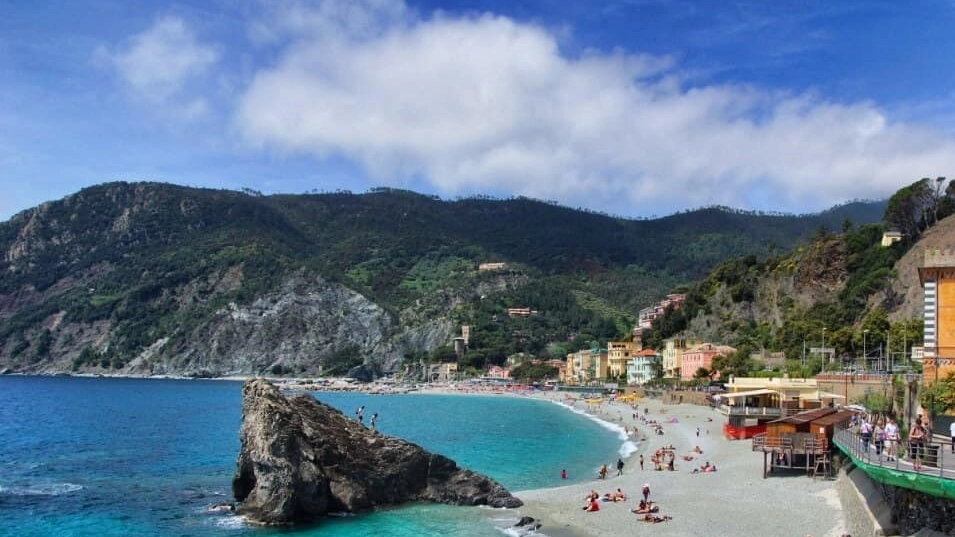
[{"x": 160, "y": 61}]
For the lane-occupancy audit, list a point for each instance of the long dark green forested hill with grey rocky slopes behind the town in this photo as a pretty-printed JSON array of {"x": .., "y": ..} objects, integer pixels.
[{"x": 128, "y": 275}]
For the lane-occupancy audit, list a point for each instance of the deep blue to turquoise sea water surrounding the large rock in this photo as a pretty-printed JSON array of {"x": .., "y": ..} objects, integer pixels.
[{"x": 84, "y": 457}]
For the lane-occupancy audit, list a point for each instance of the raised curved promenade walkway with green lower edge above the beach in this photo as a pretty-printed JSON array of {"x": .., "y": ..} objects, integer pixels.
[{"x": 936, "y": 476}]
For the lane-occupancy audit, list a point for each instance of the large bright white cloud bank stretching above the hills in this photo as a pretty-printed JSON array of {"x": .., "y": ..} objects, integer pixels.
[{"x": 487, "y": 104}]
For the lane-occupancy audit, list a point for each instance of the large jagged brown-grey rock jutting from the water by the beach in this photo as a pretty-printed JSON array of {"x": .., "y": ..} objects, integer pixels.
[{"x": 301, "y": 459}]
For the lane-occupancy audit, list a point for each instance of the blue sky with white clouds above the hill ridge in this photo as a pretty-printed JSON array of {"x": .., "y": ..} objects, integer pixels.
[{"x": 631, "y": 107}]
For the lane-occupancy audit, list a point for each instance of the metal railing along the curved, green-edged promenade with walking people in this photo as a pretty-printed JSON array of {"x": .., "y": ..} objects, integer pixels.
[{"x": 937, "y": 459}]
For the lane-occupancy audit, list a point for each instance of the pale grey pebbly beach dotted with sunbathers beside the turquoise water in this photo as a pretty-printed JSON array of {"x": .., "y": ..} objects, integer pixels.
[{"x": 735, "y": 500}]
